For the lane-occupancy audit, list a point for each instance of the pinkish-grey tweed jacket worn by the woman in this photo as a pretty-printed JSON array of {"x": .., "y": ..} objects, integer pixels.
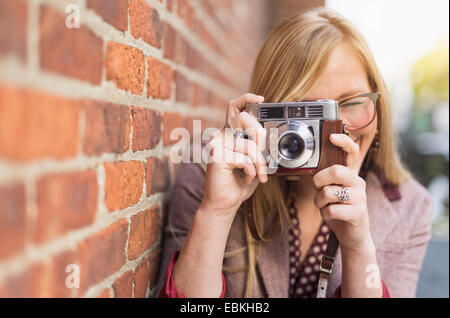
[{"x": 400, "y": 226}]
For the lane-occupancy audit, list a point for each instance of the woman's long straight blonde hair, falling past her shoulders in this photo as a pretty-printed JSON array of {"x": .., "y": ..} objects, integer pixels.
[{"x": 290, "y": 61}]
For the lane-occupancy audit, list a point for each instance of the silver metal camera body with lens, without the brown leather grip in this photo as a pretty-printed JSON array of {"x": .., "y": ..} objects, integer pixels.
[{"x": 293, "y": 131}]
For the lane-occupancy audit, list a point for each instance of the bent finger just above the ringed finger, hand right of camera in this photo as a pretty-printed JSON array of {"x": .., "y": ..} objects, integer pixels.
[{"x": 336, "y": 174}]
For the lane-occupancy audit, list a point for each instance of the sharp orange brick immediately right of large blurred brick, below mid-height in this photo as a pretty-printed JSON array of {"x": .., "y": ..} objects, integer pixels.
[{"x": 124, "y": 183}]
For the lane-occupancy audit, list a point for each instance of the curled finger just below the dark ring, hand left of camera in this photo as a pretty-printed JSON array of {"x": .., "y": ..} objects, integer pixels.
[{"x": 250, "y": 149}]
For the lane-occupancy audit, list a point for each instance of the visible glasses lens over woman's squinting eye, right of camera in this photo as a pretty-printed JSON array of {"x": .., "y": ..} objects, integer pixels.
[{"x": 358, "y": 111}]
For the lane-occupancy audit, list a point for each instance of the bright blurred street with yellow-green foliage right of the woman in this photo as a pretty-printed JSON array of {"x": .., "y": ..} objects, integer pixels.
[{"x": 410, "y": 41}]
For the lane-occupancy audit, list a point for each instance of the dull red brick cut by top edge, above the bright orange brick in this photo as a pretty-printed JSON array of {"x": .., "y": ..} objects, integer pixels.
[{"x": 114, "y": 12}]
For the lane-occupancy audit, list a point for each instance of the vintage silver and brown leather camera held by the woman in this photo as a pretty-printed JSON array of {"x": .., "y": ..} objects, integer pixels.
[{"x": 298, "y": 135}]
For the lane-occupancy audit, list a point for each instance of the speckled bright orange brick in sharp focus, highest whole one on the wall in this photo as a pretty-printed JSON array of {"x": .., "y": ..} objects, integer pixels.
[{"x": 125, "y": 66}]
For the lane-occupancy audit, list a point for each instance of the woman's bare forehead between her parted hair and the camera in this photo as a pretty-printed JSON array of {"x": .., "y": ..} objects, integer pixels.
[{"x": 344, "y": 74}]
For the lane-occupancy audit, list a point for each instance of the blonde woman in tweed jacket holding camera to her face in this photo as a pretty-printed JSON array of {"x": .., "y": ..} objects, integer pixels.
[{"x": 383, "y": 226}]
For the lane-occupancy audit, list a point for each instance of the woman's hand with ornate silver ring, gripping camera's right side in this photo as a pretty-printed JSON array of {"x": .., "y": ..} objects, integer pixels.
[{"x": 349, "y": 220}]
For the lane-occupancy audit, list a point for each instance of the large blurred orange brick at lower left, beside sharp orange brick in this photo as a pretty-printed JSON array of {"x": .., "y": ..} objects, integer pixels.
[{"x": 65, "y": 202}]
